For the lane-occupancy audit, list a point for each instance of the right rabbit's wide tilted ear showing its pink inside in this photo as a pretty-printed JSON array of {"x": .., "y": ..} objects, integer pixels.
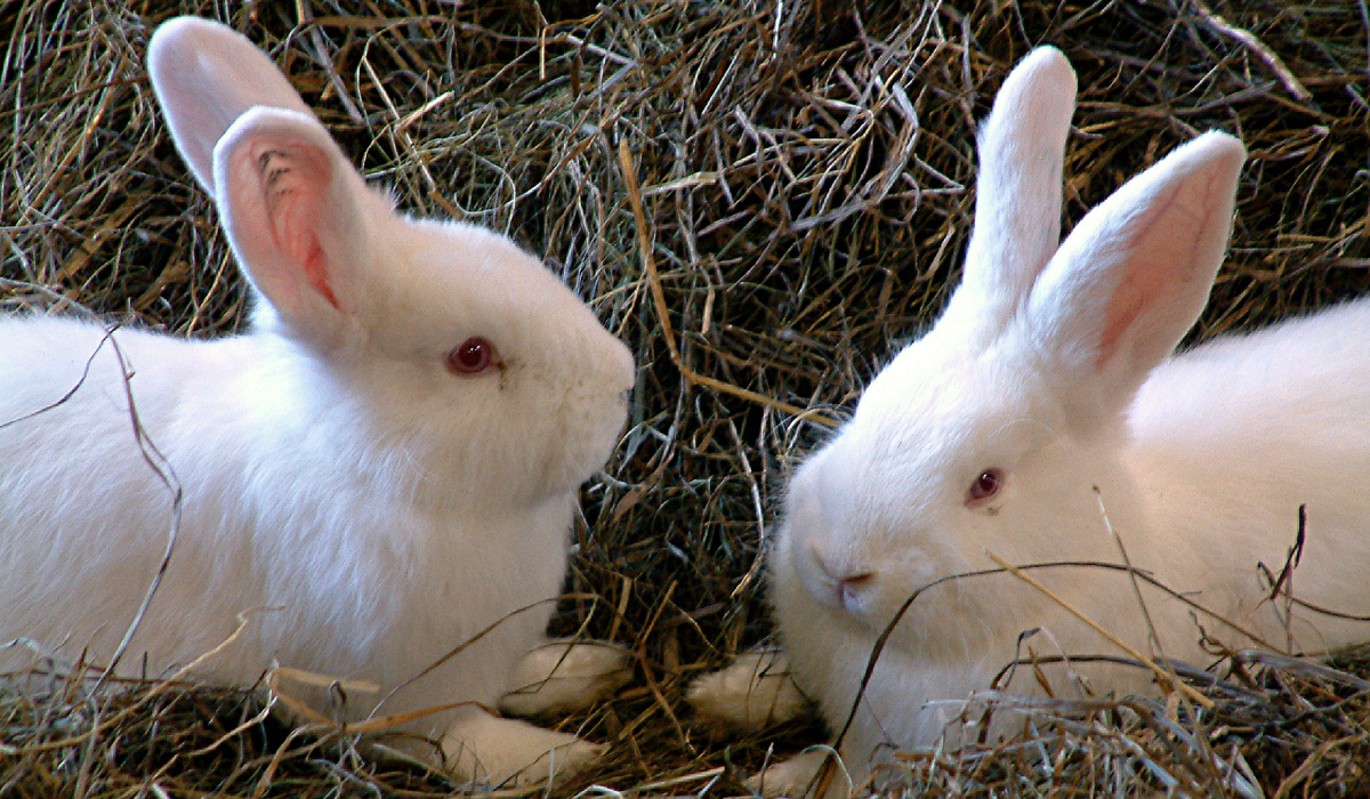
[{"x": 1134, "y": 276}]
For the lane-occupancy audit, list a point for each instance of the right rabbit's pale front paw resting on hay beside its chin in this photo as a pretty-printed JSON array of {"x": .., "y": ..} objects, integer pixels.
[{"x": 753, "y": 693}]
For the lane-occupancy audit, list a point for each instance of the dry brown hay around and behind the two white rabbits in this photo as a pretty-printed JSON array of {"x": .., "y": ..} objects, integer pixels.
[{"x": 805, "y": 175}]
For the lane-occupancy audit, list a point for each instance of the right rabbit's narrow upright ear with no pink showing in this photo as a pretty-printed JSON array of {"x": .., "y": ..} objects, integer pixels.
[{"x": 1019, "y": 191}]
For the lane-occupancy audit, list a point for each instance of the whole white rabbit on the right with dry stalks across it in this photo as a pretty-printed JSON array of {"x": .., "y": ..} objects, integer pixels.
[{"x": 1045, "y": 413}]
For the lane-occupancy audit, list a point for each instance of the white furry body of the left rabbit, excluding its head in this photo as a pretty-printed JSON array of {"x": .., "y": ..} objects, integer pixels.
[{"x": 354, "y": 567}]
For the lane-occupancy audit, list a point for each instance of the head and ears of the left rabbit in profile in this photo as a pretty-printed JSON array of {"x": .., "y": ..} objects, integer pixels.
[{"x": 457, "y": 358}]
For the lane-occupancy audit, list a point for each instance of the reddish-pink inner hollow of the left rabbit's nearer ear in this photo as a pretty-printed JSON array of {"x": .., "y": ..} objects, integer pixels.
[{"x": 294, "y": 183}]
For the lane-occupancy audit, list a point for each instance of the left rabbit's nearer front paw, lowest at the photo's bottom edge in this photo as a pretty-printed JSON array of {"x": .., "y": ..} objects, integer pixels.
[{"x": 513, "y": 753}]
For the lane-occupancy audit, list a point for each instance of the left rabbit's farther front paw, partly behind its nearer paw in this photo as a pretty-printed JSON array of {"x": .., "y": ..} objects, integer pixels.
[{"x": 564, "y": 676}]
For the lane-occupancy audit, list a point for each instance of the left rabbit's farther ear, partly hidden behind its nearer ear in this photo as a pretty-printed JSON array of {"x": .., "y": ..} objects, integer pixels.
[{"x": 206, "y": 76}]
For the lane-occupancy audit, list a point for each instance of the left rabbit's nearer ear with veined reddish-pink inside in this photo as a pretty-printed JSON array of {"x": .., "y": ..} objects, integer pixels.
[{"x": 297, "y": 214}]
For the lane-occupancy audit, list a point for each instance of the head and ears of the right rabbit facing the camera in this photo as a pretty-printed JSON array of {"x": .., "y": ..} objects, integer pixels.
[{"x": 993, "y": 431}]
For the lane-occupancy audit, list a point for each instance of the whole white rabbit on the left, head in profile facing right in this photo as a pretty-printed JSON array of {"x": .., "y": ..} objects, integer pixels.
[{"x": 384, "y": 467}]
